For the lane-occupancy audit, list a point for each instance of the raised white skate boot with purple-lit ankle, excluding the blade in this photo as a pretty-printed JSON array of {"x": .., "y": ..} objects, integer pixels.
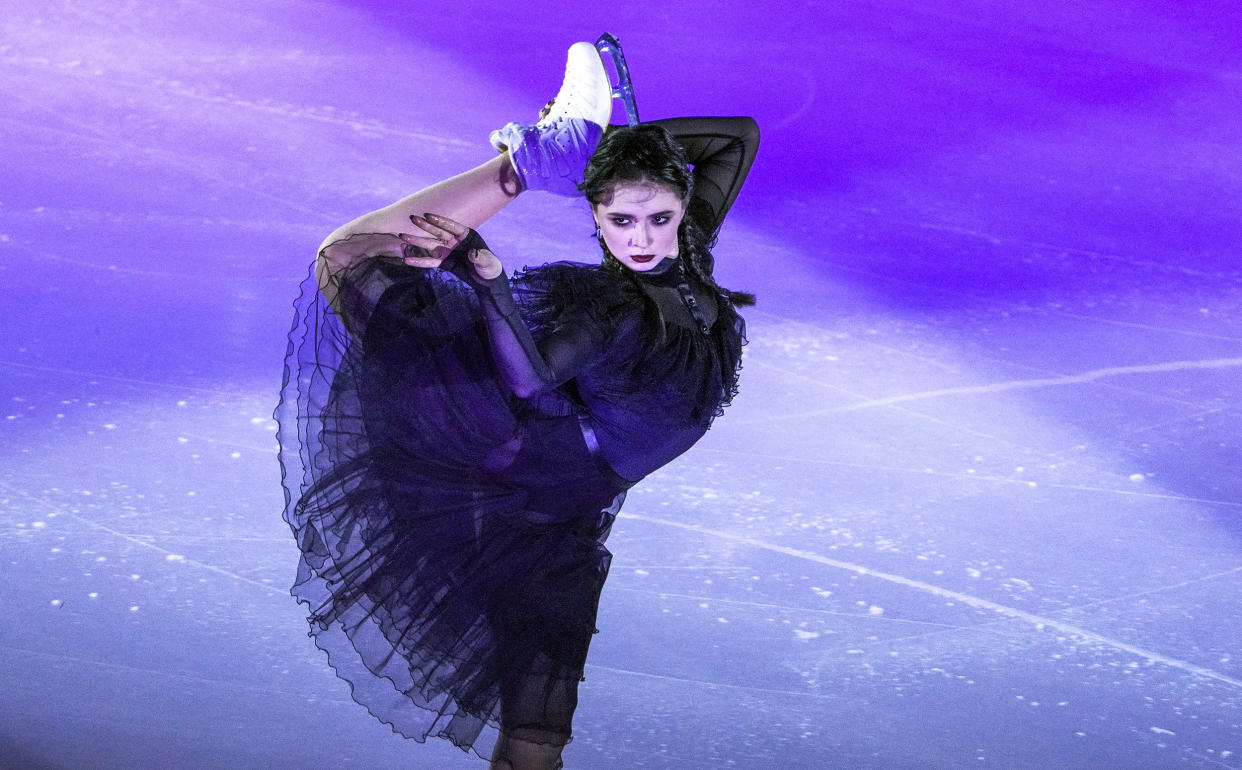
[{"x": 552, "y": 155}]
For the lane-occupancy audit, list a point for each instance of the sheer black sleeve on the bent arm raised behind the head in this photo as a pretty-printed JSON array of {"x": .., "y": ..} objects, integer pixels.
[{"x": 721, "y": 151}]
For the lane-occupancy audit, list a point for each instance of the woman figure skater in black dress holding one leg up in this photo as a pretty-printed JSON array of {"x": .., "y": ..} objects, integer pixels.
[{"x": 455, "y": 445}]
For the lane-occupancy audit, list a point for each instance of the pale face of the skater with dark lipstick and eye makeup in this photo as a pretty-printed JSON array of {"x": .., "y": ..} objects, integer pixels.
[{"x": 640, "y": 223}]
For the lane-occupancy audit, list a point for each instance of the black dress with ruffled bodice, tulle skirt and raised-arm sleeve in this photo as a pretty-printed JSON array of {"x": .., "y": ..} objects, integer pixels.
[{"x": 451, "y": 533}]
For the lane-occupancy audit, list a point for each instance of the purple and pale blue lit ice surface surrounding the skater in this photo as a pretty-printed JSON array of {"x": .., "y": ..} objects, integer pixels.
[{"x": 978, "y": 505}]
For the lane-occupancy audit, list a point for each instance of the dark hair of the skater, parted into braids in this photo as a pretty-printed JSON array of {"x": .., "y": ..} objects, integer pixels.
[{"x": 648, "y": 153}]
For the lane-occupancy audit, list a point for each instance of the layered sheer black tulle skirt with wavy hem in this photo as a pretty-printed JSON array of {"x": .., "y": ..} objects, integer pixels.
[{"x": 451, "y": 536}]
